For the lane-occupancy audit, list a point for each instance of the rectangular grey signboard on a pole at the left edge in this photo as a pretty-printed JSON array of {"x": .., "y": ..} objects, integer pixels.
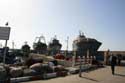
[{"x": 4, "y": 33}]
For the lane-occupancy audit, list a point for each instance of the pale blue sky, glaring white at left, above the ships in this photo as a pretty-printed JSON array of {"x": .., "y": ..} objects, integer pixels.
[{"x": 103, "y": 20}]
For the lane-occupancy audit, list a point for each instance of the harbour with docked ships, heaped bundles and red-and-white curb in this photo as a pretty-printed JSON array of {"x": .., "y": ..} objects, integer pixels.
[{"x": 49, "y": 62}]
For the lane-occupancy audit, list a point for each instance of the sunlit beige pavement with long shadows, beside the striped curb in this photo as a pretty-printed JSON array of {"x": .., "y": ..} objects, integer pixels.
[{"x": 102, "y": 75}]
